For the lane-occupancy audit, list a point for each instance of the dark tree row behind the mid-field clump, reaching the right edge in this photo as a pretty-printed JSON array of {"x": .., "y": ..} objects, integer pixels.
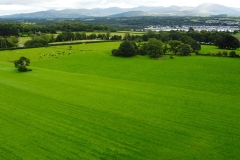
[{"x": 223, "y": 40}]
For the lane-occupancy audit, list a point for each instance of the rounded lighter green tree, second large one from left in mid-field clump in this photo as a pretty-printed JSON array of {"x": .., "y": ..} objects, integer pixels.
[{"x": 154, "y": 48}]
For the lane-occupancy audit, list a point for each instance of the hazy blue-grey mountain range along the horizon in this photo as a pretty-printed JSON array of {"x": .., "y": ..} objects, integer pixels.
[{"x": 206, "y": 9}]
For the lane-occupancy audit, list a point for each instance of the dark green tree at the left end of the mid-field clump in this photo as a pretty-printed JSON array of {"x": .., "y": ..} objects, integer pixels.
[{"x": 126, "y": 49}]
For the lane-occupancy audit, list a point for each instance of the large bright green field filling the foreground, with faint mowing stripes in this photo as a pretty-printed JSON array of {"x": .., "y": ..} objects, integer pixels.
[{"x": 91, "y": 105}]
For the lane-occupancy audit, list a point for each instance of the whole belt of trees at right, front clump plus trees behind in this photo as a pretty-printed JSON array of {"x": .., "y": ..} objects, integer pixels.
[{"x": 175, "y": 42}]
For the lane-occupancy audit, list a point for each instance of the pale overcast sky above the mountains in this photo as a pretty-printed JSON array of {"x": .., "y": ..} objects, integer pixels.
[{"x": 24, "y": 6}]
